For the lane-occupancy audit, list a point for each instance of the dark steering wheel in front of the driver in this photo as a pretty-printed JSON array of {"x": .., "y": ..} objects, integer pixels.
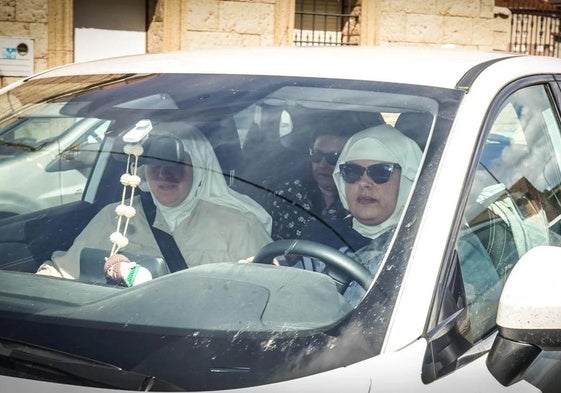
[{"x": 340, "y": 267}]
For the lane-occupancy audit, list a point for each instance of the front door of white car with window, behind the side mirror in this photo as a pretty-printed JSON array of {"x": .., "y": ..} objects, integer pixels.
[{"x": 512, "y": 204}]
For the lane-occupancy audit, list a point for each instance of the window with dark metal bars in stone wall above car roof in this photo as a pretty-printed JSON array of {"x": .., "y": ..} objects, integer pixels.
[{"x": 326, "y": 23}]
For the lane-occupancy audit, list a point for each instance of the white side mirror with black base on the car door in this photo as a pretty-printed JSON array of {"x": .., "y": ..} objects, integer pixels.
[{"x": 529, "y": 315}]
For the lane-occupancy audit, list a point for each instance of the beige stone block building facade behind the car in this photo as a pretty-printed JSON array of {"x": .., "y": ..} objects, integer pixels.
[{"x": 190, "y": 24}]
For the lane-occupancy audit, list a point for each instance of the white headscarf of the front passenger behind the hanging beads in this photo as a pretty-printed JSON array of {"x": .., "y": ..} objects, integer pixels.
[{"x": 208, "y": 184}]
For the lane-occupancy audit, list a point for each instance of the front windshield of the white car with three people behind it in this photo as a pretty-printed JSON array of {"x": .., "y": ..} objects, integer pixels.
[{"x": 228, "y": 223}]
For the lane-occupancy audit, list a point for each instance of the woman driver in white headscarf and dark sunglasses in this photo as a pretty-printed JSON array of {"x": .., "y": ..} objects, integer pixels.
[{"x": 373, "y": 175}]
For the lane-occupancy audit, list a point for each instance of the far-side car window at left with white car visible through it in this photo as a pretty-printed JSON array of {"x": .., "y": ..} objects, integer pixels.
[{"x": 56, "y": 153}]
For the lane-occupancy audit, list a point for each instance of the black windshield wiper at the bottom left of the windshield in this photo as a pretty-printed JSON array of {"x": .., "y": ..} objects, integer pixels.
[{"x": 60, "y": 366}]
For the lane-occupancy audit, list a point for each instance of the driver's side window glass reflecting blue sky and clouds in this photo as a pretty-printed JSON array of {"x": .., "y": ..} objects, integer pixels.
[{"x": 513, "y": 203}]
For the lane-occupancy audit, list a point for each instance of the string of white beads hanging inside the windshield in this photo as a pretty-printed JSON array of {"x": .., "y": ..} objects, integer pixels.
[{"x": 130, "y": 180}]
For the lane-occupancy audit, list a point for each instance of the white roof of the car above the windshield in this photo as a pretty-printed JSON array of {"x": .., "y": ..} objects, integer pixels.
[{"x": 441, "y": 67}]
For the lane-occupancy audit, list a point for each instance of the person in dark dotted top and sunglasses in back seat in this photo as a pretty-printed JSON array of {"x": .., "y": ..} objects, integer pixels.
[{"x": 313, "y": 194}]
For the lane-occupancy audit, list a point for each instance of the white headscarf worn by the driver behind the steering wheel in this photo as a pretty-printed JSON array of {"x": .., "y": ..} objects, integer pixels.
[{"x": 381, "y": 143}]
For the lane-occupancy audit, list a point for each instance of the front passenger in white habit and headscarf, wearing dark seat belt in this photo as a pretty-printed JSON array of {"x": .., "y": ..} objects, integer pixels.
[{"x": 208, "y": 221}]
